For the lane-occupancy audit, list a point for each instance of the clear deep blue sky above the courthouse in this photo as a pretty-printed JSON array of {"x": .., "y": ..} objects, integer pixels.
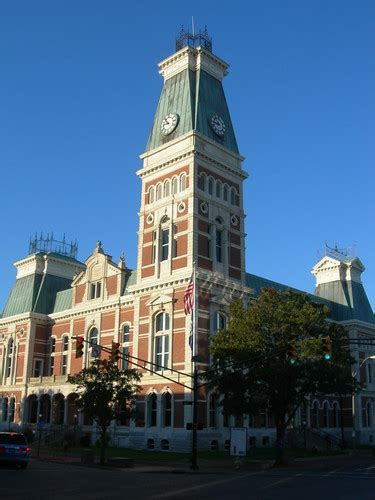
[{"x": 79, "y": 87}]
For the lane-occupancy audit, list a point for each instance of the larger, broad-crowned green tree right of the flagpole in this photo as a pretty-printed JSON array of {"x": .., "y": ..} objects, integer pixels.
[{"x": 270, "y": 358}]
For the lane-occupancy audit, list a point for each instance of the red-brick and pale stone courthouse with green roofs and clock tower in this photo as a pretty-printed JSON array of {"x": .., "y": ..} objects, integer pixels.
[{"x": 191, "y": 211}]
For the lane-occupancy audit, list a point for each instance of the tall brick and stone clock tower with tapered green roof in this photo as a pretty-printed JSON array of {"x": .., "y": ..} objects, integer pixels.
[{"x": 191, "y": 207}]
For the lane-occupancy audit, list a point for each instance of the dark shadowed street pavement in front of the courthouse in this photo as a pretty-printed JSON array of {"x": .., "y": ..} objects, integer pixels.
[{"x": 345, "y": 478}]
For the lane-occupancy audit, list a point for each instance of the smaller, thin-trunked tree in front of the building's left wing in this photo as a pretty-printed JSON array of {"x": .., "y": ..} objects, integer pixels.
[{"x": 103, "y": 392}]
